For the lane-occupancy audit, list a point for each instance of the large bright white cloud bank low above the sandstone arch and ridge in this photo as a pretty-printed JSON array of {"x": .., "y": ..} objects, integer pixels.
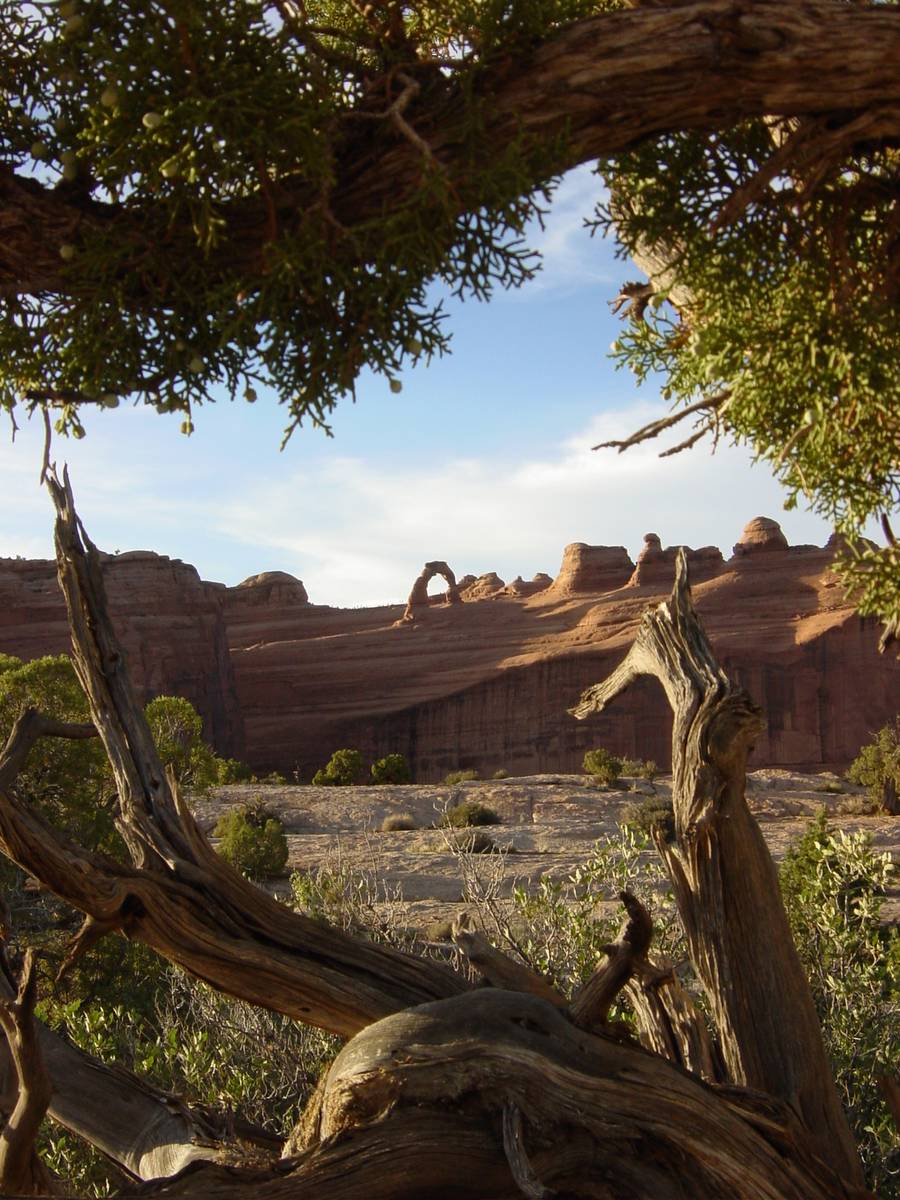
[{"x": 358, "y": 533}]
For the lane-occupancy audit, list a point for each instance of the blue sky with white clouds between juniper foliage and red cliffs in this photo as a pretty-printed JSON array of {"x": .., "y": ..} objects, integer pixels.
[{"x": 484, "y": 460}]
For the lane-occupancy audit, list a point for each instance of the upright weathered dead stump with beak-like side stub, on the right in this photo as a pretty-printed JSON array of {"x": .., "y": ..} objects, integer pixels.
[{"x": 724, "y": 879}]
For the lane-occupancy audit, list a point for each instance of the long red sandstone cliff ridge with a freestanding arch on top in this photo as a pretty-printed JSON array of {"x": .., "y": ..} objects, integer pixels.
[{"x": 484, "y": 681}]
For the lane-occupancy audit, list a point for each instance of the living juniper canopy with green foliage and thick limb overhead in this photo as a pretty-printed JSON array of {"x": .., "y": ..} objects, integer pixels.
[{"x": 202, "y": 200}]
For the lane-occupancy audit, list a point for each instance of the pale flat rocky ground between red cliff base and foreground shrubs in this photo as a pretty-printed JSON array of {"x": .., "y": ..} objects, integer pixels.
[{"x": 549, "y": 827}]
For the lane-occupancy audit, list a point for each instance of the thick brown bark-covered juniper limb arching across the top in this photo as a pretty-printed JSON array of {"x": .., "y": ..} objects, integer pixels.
[{"x": 604, "y": 85}]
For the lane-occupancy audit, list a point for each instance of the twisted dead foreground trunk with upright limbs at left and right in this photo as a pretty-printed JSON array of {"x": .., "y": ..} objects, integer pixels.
[{"x": 493, "y": 1093}]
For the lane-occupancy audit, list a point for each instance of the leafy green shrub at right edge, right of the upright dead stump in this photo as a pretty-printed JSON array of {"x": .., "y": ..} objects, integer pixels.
[{"x": 833, "y": 885}]
